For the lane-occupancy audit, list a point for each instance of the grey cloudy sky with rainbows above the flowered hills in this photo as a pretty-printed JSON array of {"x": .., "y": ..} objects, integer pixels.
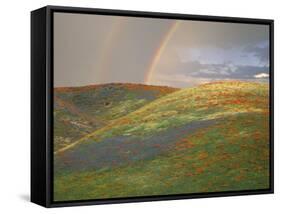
[{"x": 97, "y": 49}]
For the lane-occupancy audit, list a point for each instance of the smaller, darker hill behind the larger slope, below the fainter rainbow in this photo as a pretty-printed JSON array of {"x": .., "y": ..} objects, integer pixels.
[{"x": 81, "y": 110}]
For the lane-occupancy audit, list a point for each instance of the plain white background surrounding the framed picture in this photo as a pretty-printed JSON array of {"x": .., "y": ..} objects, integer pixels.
[{"x": 15, "y": 105}]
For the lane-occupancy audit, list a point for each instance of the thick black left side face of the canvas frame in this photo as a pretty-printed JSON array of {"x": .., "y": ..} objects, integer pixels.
[{"x": 38, "y": 107}]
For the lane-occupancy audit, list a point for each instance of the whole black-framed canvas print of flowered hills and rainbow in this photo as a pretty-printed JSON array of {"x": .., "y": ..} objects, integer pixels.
[{"x": 141, "y": 106}]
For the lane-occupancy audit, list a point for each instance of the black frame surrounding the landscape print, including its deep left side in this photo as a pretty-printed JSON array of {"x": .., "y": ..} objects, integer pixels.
[{"x": 42, "y": 104}]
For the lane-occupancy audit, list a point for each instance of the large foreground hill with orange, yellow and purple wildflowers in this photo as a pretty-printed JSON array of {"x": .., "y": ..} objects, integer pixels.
[{"x": 214, "y": 137}]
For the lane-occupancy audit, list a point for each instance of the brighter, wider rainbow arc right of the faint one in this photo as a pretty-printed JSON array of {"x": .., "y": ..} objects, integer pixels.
[{"x": 159, "y": 51}]
